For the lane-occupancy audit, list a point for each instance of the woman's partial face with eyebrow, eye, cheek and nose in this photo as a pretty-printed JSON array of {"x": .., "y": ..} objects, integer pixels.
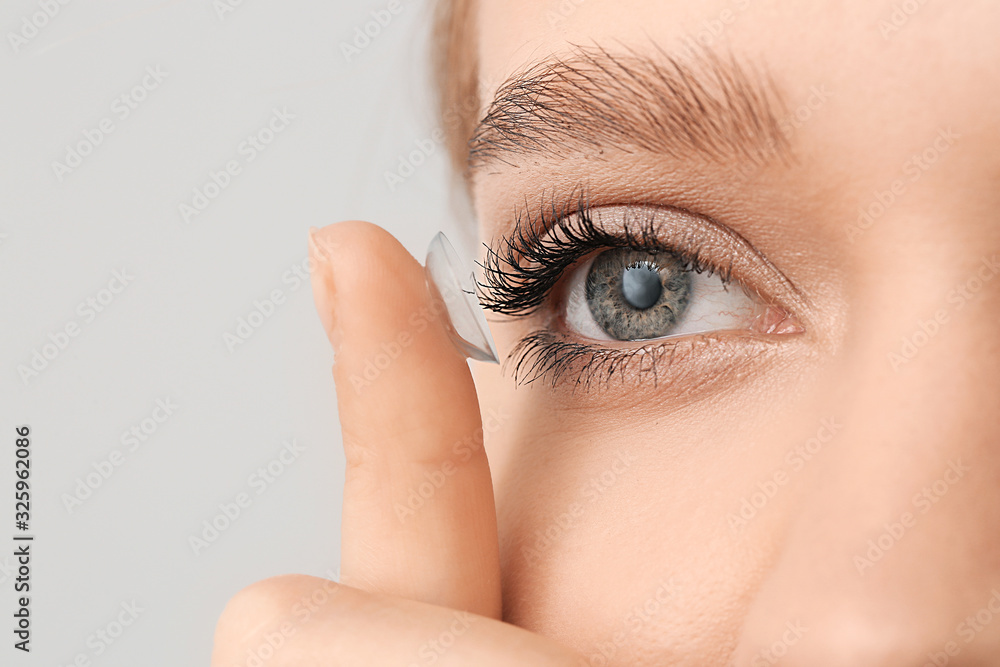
[{"x": 750, "y": 408}]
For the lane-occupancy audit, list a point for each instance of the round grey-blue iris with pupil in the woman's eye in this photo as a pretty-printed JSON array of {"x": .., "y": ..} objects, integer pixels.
[{"x": 636, "y": 295}]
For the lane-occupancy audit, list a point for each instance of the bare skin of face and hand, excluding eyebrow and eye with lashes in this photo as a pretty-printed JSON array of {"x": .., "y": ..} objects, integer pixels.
[{"x": 868, "y": 484}]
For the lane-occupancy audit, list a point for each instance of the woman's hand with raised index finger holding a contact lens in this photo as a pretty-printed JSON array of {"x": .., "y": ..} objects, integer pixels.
[{"x": 420, "y": 581}]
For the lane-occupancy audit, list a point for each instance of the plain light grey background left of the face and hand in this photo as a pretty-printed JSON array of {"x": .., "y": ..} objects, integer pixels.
[{"x": 162, "y": 337}]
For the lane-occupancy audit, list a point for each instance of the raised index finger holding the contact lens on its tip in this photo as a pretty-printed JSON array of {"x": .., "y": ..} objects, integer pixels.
[{"x": 419, "y": 519}]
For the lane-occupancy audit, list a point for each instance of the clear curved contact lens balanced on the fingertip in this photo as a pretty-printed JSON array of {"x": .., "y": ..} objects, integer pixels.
[{"x": 448, "y": 277}]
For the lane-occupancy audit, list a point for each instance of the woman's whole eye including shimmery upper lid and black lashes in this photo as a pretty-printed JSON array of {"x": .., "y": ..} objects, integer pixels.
[{"x": 598, "y": 278}]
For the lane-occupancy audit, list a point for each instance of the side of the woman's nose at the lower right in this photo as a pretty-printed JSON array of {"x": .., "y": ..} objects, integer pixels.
[{"x": 893, "y": 543}]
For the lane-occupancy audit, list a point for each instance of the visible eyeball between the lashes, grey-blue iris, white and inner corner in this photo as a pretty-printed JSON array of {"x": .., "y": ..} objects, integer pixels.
[{"x": 630, "y": 295}]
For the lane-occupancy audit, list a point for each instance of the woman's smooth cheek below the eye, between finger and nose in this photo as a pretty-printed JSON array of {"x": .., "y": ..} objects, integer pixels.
[{"x": 614, "y": 530}]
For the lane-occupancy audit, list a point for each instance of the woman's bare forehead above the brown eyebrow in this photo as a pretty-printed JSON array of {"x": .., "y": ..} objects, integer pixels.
[{"x": 886, "y": 61}]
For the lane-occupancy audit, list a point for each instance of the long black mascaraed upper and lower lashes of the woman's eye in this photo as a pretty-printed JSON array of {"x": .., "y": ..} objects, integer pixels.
[{"x": 521, "y": 271}]
